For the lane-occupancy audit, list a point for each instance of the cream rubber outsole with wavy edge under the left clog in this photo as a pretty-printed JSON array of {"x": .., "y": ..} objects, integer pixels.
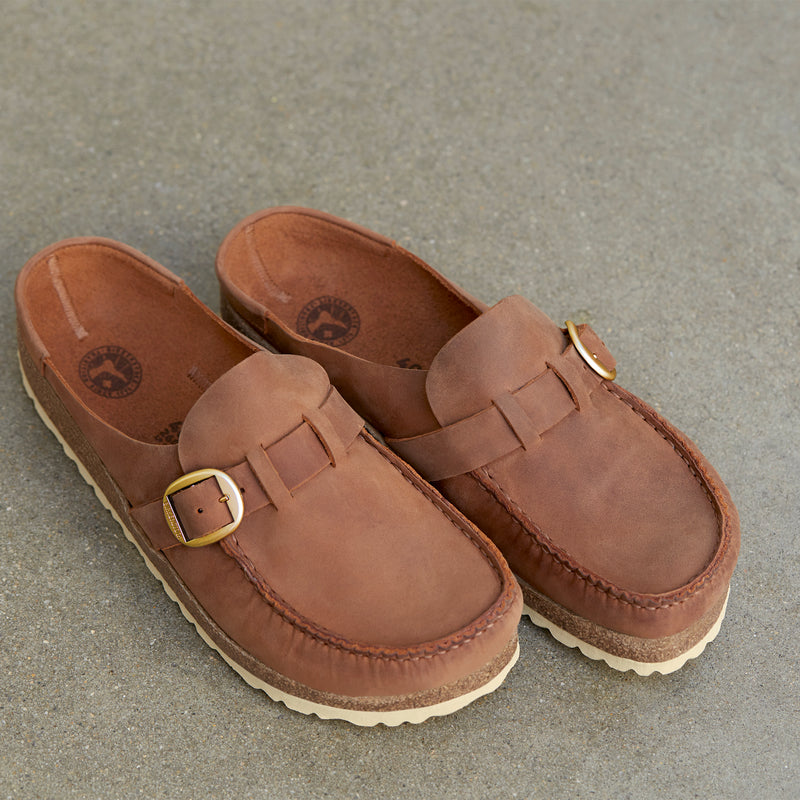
[{"x": 302, "y": 705}]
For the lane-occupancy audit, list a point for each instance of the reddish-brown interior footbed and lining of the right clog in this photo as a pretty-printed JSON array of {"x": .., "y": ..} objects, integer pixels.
[{"x": 335, "y": 285}]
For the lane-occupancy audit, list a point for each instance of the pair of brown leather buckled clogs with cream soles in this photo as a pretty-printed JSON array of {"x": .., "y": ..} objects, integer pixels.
[{"x": 318, "y": 563}]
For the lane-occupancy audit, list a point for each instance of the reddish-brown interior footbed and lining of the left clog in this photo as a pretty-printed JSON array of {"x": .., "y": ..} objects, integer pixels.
[{"x": 131, "y": 344}]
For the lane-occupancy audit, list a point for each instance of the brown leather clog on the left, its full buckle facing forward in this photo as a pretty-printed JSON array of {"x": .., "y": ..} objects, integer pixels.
[{"x": 314, "y": 560}]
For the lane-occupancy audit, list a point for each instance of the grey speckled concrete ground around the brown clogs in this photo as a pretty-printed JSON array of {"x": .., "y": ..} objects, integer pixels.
[{"x": 633, "y": 164}]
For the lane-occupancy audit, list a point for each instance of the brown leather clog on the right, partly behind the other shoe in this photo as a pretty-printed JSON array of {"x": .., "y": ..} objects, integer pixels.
[{"x": 621, "y": 534}]
